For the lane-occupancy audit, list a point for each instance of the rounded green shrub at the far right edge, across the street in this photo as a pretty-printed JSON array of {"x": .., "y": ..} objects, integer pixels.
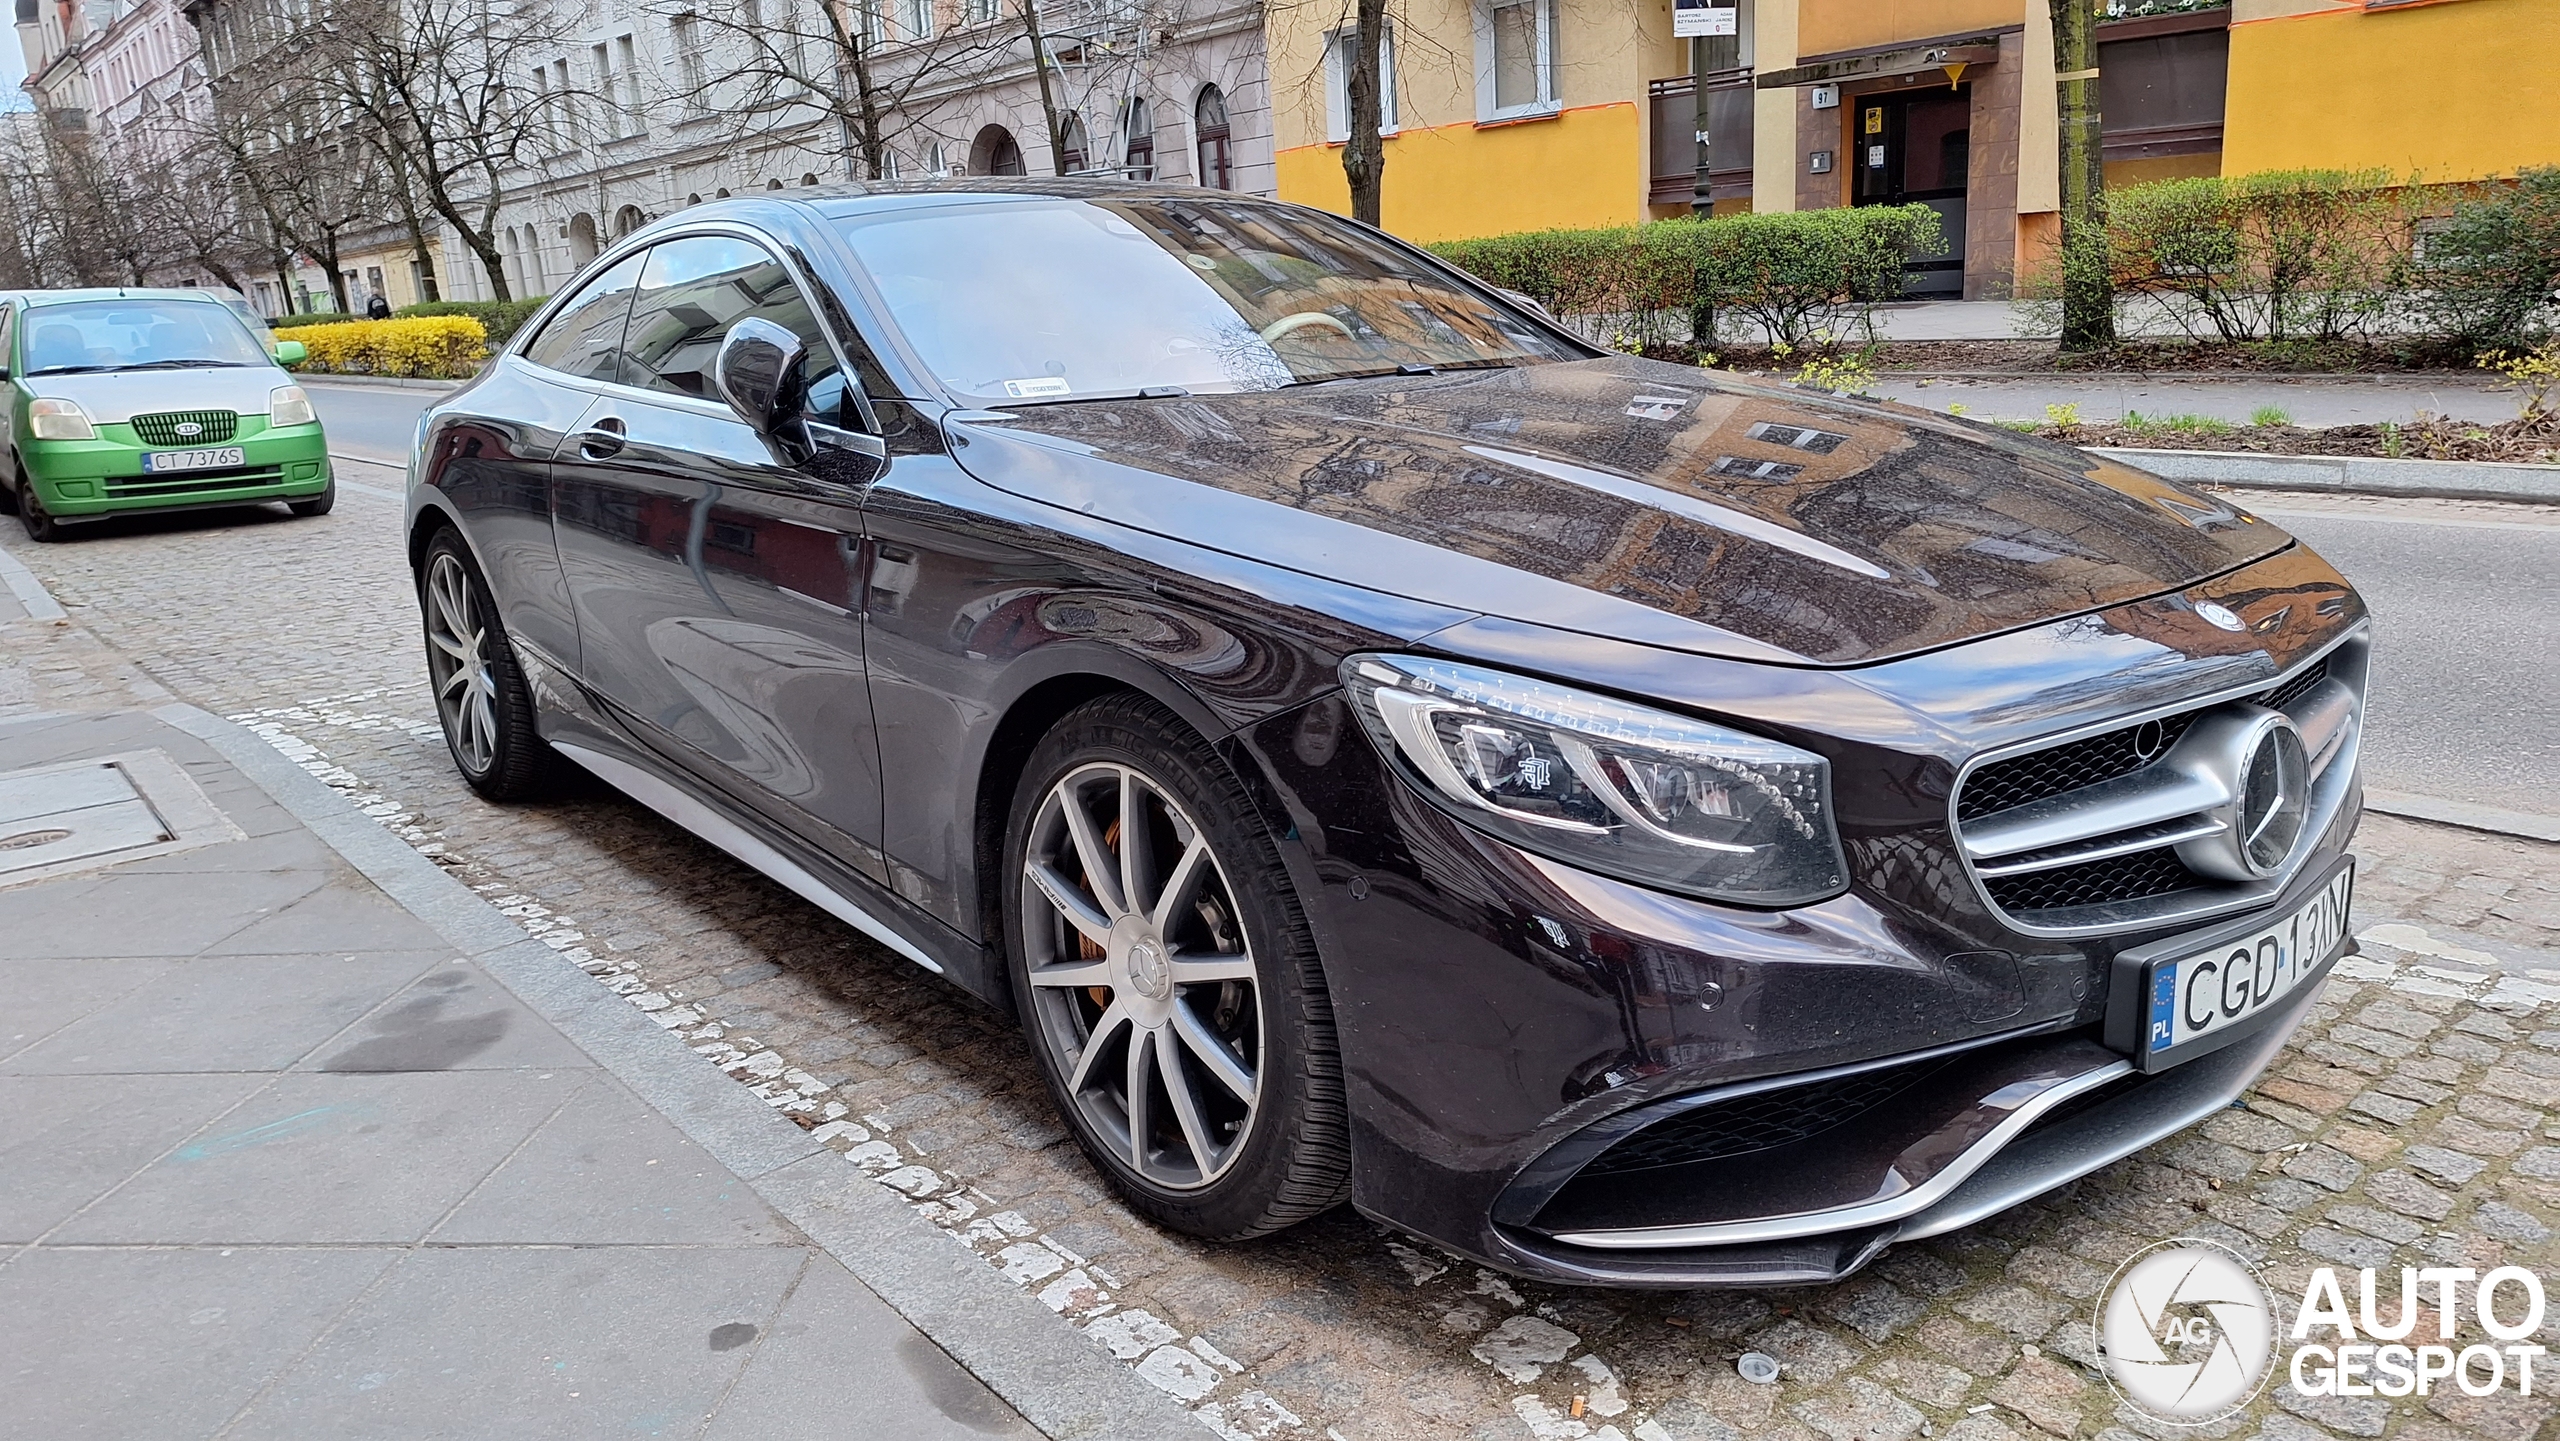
[{"x": 2490, "y": 270}]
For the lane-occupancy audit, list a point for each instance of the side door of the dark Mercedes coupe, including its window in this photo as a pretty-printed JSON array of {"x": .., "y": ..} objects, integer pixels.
[{"x": 716, "y": 577}]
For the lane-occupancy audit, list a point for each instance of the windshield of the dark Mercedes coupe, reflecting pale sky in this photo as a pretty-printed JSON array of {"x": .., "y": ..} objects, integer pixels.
[{"x": 1110, "y": 298}]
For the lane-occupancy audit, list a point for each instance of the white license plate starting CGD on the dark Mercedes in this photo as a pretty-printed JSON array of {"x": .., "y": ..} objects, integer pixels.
[{"x": 2216, "y": 994}]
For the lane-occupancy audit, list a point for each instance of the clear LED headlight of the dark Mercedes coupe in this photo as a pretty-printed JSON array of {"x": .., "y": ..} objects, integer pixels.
[{"x": 1604, "y": 784}]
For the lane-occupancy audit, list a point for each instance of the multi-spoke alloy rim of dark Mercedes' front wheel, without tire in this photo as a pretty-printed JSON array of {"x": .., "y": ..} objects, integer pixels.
[{"x": 1143, "y": 982}]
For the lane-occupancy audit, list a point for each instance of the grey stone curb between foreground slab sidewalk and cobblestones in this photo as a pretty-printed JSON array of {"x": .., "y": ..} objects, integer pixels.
[{"x": 1041, "y": 1365}]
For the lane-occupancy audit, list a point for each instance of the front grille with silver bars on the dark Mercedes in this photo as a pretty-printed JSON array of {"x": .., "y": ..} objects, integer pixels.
[{"x": 2029, "y": 872}]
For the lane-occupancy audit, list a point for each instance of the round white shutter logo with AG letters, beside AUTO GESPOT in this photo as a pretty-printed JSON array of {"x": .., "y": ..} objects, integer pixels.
[{"x": 2188, "y": 1332}]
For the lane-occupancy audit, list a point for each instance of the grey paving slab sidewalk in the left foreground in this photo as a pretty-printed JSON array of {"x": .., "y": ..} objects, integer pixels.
[{"x": 283, "y": 1163}]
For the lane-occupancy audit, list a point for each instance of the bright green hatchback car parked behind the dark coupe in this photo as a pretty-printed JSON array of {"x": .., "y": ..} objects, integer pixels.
[{"x": 147, "y": 401}]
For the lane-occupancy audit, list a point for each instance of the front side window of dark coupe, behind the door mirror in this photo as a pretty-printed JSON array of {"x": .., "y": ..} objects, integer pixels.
[{"x": 692, "y": 293}]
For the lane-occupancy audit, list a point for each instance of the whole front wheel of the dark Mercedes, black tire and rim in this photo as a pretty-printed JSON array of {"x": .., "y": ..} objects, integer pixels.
[{"x": 1225, "y": 1150}]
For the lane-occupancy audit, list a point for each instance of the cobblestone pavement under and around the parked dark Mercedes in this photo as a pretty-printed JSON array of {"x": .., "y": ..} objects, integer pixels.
[{"x": 2413, "y": 1122}]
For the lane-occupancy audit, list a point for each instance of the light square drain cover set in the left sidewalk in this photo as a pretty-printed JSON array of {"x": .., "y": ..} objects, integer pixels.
[{"x": 99, "y": 813}]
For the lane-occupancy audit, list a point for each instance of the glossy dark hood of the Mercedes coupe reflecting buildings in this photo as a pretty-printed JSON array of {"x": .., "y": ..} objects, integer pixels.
[{"x": 1637, "y": 500}]
